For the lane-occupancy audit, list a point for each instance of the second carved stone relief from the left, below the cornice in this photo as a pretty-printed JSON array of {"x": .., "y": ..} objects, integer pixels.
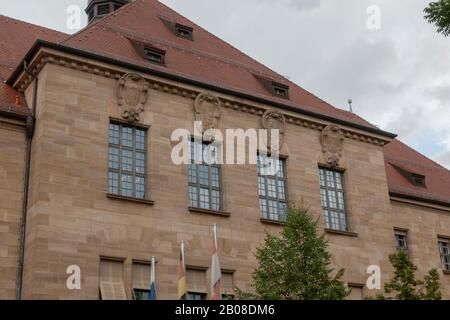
[{"x": 208, "y": 110}]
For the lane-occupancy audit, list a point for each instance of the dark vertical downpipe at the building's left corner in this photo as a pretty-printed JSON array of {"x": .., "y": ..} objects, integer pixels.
[{"x": 30, "y": 124}]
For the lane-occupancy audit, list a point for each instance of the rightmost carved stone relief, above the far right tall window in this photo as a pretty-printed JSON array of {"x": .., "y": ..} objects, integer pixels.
[{"x": 332, "y": 140}]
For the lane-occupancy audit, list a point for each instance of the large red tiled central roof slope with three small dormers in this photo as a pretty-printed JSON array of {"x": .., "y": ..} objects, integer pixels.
[{"x": 207, "y": 59}]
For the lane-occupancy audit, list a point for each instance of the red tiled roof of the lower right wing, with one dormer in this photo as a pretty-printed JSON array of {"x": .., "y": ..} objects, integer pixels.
[{"x": 437, "y": 178}]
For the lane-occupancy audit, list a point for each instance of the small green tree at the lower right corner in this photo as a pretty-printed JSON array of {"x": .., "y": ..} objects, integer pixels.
[{"x": 405, "y": 286}]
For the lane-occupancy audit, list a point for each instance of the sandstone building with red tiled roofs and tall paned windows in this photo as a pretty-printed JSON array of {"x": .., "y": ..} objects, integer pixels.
[{"x": 87, "y": 178}]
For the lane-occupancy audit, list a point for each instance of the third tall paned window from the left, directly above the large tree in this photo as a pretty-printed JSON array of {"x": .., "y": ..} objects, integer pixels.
[{"x": 272, "y": 183}]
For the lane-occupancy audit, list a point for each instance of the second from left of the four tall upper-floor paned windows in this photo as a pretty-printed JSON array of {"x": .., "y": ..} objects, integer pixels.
[{"x": 205, "y": 181}]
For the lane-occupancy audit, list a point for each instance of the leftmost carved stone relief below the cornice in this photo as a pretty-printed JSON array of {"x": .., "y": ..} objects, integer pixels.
[{"x": 132, "y": 95}]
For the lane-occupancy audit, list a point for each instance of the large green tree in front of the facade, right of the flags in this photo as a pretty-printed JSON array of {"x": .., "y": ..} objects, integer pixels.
[{"x": 296, "y": 264}]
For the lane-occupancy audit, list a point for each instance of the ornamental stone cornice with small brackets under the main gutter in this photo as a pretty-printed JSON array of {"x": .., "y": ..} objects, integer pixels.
[{"x": 50, "y": 56}]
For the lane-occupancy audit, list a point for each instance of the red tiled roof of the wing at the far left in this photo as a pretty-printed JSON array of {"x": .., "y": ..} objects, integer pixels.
[{"x": 16, "y": 38}]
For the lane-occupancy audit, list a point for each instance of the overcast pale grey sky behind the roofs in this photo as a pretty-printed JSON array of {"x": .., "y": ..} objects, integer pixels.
[{"x": 397, "y": 75}]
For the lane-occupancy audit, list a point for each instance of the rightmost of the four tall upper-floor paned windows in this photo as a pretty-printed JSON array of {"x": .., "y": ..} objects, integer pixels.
[{"x": 333, "y": 199}]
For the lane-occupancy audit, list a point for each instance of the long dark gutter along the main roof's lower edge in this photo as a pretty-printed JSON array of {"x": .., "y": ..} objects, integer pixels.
[{"x": 171, "y": 76}]
